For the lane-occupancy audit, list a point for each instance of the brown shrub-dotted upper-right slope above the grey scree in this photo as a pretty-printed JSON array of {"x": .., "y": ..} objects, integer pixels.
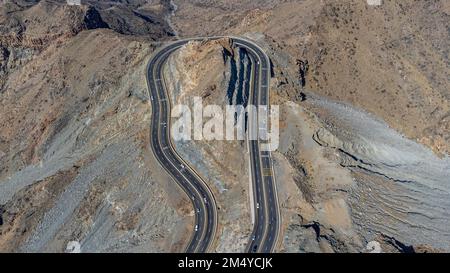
[{"x": 391, "y": 60}]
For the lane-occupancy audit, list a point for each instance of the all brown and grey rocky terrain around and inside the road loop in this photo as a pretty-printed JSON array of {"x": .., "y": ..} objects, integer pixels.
[{"x": 364, "y": 99}]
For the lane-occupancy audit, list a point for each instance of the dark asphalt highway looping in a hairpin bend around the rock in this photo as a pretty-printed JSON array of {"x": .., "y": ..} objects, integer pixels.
[{"x": 267, "y": 216}]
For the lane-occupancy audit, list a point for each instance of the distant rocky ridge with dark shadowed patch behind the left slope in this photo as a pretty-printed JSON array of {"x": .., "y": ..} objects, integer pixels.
[{"x": 26, "y": 27}]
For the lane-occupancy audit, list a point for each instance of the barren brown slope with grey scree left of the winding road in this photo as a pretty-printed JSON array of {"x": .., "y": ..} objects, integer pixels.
[{"x": 75, "y": 163}]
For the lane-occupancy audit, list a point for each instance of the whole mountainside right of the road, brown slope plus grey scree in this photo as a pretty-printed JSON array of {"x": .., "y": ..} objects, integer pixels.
[{"x": 389, "y": 60}]
